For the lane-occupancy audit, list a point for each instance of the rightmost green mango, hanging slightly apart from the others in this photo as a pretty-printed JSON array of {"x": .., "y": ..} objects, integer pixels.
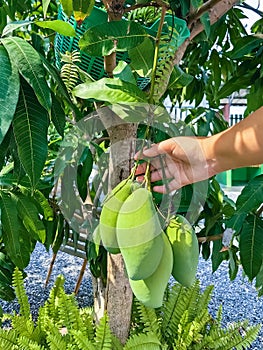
[{"x": 185, "y": 250}]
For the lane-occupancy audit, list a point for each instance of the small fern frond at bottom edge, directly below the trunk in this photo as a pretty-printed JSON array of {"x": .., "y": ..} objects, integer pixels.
[{"x": 143, "y": 341}]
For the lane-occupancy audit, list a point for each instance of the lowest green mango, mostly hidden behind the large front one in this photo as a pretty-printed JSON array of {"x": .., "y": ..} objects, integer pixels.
[{"x": 150, "y": 291}]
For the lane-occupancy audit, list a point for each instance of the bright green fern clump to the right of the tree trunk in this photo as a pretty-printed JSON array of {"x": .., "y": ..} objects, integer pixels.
[{"x": 184, "y": 323}]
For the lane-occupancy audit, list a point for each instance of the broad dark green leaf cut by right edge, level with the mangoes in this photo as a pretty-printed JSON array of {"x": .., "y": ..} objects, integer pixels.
[{"x": 251, "y": 245}]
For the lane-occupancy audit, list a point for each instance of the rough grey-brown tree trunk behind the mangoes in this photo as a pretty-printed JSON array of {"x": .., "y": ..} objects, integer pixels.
[{"x": 119, "y": 295}]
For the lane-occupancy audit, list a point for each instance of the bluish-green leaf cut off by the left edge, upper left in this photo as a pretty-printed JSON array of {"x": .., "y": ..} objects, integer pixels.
[{"x": 9, "y": 92}]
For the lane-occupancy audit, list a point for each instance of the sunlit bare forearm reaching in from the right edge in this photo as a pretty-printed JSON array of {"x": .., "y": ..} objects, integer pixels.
[{"x": 238, "y": 146}]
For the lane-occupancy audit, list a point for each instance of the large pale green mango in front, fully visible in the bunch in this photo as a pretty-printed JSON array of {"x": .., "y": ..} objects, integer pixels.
[{"x": 139, "y": 236}]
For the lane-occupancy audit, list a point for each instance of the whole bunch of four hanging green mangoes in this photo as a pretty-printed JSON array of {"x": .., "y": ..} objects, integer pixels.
[{"x": 130, "y": 225}]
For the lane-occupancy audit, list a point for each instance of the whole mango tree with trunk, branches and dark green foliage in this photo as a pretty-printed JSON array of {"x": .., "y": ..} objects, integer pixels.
[{"x": 184, "y": 50}]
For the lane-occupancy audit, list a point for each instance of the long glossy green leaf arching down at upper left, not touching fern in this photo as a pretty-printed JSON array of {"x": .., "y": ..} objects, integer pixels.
[{"x": 28, "y": 62}]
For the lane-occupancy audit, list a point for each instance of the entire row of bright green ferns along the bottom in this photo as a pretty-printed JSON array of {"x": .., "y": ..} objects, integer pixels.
[{"x": 182, "y": 323}]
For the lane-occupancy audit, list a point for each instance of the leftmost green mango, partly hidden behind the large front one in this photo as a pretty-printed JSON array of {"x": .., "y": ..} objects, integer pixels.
[{"x": 109, "y": 214}]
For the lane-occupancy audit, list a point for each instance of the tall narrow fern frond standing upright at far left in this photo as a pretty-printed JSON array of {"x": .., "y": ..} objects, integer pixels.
[{"x": 18, "y": 284}]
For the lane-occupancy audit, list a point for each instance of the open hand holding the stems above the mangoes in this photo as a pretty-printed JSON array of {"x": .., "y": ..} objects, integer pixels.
[{"x": 180, "y": 160}]
